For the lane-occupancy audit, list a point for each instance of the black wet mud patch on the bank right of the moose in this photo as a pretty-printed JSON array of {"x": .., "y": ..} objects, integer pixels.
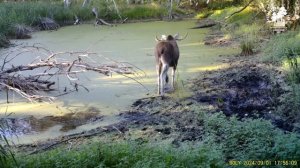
[{"x": 248, "y": 88}]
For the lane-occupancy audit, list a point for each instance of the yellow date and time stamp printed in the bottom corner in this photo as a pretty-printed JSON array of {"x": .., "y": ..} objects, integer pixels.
[{"x": 289, "y": 163}]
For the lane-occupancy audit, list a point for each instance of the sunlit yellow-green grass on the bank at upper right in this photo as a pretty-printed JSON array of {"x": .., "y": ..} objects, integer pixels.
[{"x": 240, "y": 26}]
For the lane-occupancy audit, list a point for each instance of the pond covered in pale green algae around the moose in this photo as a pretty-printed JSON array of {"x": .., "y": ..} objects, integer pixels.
[{"x": 107, "y": 96}]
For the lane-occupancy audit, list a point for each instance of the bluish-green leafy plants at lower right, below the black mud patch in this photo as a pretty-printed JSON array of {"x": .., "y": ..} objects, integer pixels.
[{"x": 250, "y": 139}]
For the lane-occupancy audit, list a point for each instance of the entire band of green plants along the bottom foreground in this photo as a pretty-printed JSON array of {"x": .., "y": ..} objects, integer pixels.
[{"x": 224, "y": 139}]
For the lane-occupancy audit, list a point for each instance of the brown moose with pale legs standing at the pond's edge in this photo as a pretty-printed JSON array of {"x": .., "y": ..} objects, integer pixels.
[{"x": 166, "y": 55}]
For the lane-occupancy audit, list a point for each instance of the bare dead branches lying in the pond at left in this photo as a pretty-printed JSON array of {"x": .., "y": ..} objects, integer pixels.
[{"x": 44, "y": 72}]
